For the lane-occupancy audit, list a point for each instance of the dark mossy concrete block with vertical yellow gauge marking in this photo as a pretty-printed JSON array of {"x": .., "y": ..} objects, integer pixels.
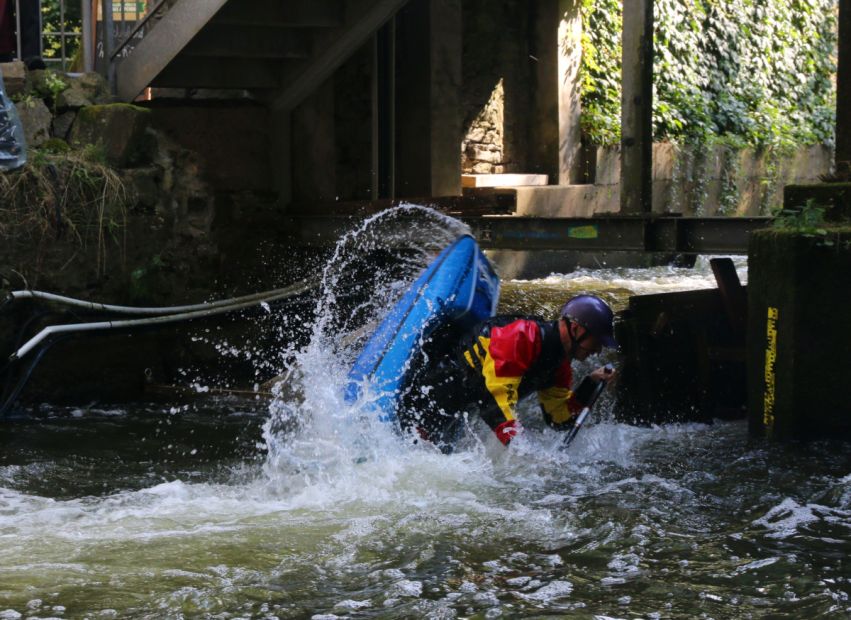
[{"x": 799, "y": 334}]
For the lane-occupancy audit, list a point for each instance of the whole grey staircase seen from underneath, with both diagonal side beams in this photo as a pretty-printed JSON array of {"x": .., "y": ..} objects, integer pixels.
[{"x": 280, "y": 49}]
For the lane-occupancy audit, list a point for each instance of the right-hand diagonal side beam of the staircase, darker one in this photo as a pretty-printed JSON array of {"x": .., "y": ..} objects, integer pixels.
[{"x": 362, "y": 19}]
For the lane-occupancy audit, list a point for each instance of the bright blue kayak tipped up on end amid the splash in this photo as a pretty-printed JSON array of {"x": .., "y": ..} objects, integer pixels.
[{"x": 459, "y": 286}]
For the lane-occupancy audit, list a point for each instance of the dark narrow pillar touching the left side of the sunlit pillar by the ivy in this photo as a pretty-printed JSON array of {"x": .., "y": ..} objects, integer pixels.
[{"x": 544, "y": 117}]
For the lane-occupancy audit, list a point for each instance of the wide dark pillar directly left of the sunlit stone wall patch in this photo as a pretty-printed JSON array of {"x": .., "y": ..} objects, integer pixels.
[{"x": 428, "y": 99}]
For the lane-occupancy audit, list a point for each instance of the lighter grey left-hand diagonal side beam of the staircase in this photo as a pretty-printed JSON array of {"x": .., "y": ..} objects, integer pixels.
[{"x": 162, "y": 44}]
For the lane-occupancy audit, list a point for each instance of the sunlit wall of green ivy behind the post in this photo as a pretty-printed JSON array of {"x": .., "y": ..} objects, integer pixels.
[{"x": 756, "y": 73}]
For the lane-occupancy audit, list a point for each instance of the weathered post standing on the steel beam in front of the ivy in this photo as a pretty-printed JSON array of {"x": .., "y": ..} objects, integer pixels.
[{"x": 637, "y": 107}]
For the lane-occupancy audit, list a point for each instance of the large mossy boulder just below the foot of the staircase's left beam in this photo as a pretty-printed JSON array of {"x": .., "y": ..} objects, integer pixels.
[{"x": 122, "y": 130}]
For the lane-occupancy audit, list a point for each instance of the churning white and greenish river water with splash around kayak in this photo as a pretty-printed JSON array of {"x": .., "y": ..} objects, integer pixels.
[{"x": 307, "y": 507}]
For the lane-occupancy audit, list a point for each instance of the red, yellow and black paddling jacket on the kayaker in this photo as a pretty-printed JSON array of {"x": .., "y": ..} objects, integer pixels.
[{"x": 511, "y": 357}]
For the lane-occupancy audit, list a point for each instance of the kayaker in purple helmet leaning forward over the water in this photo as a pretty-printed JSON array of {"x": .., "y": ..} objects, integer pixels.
[{"x": 502, "y": 360}]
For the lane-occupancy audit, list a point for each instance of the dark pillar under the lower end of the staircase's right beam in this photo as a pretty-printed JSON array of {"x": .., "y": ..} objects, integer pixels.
[{"x": 313, "y": 149}]
